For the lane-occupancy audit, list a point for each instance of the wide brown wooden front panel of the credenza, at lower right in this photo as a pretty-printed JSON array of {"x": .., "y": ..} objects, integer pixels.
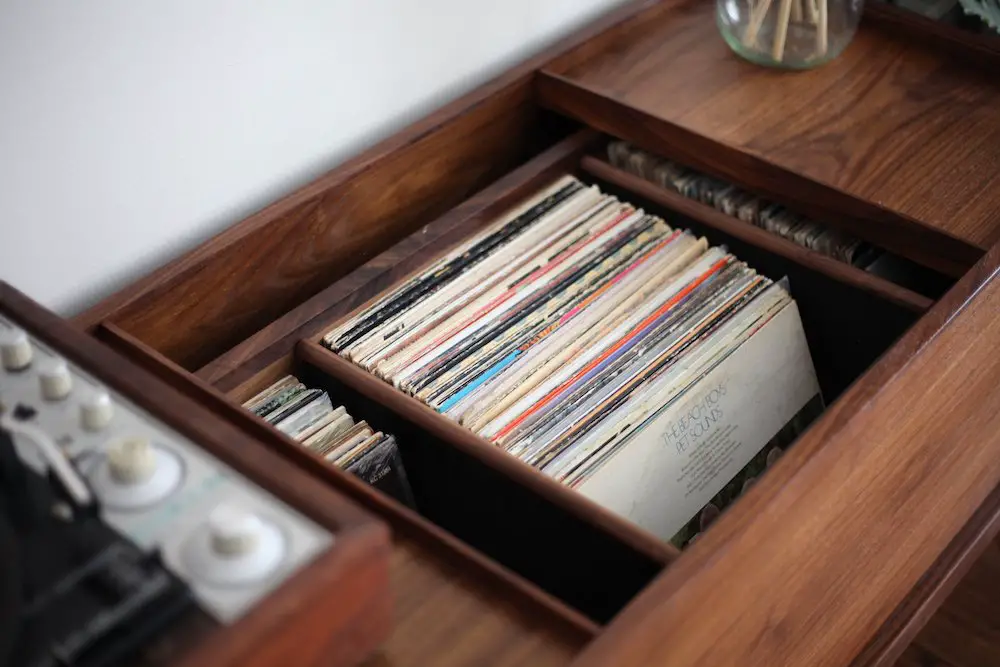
[{"x": 806, "y": 568}]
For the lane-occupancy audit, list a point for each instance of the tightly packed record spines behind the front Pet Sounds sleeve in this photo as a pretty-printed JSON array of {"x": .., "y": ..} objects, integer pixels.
[{"x": 565, "y": 328}]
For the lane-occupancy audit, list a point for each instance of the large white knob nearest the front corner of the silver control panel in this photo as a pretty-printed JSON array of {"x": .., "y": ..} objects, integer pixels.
[{"x": 234, "y": 547}]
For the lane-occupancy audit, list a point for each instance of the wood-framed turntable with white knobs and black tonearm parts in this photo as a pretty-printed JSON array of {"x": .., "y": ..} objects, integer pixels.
[{"x": 139, "y": 529}]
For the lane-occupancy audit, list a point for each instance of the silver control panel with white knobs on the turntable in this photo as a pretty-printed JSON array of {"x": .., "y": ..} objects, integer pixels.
[{"x": 153, "y": 484}]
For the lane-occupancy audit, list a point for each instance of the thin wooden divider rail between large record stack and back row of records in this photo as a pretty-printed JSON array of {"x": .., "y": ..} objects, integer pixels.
[{"x": 712, "y": 217}]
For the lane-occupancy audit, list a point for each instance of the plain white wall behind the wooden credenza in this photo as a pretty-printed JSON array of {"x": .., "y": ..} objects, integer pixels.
[{"x": 132, "y": 130}]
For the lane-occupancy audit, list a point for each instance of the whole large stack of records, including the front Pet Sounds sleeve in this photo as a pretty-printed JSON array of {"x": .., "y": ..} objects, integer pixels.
[{"x": 621, "y": 357}]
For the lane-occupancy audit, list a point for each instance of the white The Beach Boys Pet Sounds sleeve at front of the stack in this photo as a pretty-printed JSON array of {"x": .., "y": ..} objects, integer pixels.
[{"x": 669, "y": 471}]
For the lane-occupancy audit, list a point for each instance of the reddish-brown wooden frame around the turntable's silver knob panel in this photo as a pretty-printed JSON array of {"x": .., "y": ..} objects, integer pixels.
[{"x": 332, "y": 612}]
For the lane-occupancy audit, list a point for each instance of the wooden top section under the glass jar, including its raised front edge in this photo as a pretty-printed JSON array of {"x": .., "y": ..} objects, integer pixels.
[{"x": 892, "y": 126}]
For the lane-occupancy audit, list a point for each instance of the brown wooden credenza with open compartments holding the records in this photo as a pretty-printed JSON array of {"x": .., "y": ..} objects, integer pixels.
[{"x": 871, "y": 543}]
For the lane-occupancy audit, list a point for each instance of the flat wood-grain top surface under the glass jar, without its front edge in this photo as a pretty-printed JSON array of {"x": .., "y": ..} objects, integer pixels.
[{"x": 893, "y": 121}]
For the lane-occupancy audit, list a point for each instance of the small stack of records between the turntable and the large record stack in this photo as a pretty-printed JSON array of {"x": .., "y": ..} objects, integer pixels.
[{"x": 309, "y": 416}]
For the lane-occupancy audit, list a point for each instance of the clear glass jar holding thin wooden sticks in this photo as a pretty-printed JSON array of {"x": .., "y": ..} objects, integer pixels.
[{"x": 794, "y": 34}]
